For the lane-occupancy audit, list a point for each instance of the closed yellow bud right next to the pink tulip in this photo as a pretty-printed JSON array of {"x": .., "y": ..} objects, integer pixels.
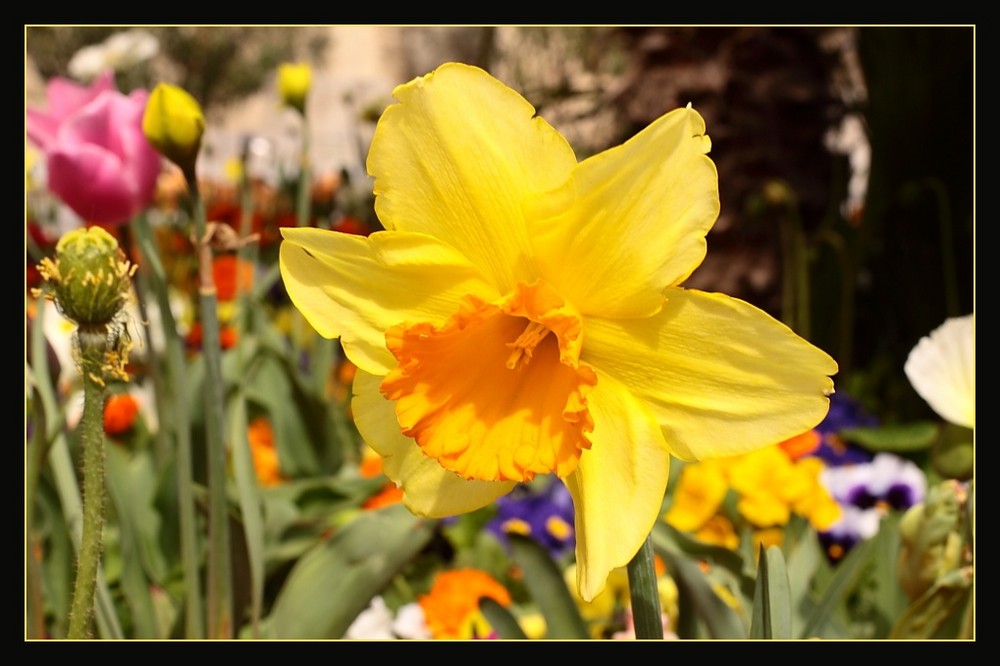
[{"x": 174, "y": 124}]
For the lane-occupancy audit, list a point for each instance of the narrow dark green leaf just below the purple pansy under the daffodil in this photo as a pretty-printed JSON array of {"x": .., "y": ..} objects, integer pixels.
[{"x": 548, "y": 589}]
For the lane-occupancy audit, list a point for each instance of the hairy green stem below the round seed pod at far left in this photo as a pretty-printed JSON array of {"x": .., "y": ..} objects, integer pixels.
[{"x": 93, "y": 346}]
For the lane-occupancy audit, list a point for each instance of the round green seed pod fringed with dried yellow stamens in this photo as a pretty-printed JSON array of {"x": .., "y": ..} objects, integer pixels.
[{"x": 89, "y": 278}]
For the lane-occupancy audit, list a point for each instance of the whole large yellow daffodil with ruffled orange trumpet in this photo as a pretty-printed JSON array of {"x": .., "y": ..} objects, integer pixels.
[{"x": 522, "y": 314}]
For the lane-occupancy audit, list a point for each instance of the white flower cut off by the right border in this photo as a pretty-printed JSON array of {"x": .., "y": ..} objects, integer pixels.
[{"x": 942, "y": 370}]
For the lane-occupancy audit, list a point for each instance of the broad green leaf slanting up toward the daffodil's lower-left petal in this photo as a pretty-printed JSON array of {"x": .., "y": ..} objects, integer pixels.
[{"x": 331, "y": 584}]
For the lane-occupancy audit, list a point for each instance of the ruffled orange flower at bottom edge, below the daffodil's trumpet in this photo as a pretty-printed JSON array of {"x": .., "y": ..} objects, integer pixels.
[{"x": 451, "y": 608}]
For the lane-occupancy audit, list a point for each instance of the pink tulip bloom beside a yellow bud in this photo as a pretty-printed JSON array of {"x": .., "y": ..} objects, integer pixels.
[{"x": 98, "y": 159}]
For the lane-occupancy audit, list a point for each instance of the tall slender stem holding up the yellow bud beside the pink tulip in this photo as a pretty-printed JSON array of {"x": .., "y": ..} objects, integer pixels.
[{"x": 220, "y": 620}]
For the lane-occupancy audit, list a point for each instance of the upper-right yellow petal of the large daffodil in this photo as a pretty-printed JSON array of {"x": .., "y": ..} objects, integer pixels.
[{"x": 637, "y": 220}]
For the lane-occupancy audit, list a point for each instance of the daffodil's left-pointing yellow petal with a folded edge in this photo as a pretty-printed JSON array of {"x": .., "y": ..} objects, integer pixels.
[{"x": 355, "y": 288}]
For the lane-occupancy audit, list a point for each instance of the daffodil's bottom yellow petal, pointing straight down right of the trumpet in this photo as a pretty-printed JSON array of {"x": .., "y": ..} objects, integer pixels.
[{"x": 618, "y": 486}]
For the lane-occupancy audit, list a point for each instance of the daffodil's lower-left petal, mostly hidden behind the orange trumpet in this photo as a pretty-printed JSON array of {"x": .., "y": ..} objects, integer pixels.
[{"x": 428, "y": 489}]
